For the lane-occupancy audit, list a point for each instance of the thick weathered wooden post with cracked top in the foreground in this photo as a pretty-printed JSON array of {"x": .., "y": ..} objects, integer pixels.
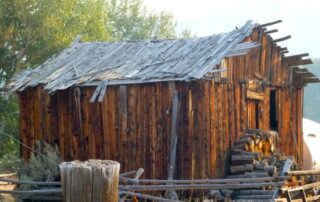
[{"x": 92, "y": 180}]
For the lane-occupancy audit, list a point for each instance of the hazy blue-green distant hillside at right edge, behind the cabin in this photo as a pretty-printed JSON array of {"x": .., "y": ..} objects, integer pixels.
[{"x": 312, "y": 94}]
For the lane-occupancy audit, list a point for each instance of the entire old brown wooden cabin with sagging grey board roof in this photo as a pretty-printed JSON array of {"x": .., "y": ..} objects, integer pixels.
[{"x": 132, "y": 101}]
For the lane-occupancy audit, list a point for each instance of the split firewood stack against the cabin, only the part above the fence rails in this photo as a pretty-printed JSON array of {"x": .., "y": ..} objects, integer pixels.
[{"x": 252, "y": 155}]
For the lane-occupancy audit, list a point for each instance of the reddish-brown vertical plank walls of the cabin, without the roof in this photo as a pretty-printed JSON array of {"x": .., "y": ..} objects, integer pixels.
[{"x": 132, "y": 124}]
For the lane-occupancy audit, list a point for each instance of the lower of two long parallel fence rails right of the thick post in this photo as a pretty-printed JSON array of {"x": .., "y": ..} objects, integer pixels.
[{"x": 199, "y": 186}]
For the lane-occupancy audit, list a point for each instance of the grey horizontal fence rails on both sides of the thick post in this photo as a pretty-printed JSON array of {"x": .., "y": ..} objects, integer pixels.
[{"x": 131, "y": 185}]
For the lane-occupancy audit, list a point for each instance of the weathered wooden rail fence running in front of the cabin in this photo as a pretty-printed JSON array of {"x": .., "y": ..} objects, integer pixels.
[{"x": 130, "y": 185}]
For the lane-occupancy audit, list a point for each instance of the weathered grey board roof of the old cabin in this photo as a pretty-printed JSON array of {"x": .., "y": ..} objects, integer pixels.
[{"x": 85, "y": 63}]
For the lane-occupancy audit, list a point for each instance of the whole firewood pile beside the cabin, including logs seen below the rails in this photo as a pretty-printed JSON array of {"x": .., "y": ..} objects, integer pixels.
[{"x": 253, "y": 156}]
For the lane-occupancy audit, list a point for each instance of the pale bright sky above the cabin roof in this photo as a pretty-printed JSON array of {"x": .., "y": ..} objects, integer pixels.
[{"x": 301, "y": 19}]
